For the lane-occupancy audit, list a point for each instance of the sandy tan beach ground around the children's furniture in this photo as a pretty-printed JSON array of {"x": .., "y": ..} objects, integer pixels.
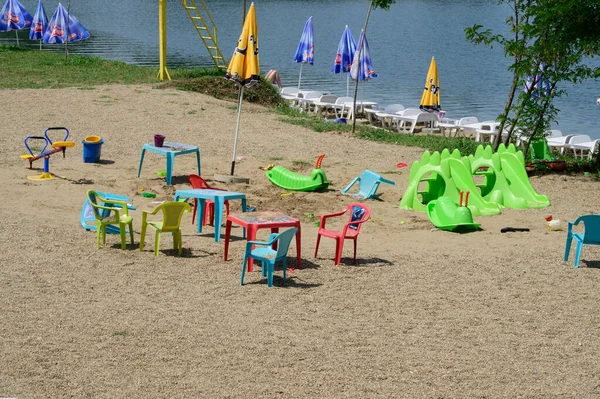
[{"x": 424, "y": 313}]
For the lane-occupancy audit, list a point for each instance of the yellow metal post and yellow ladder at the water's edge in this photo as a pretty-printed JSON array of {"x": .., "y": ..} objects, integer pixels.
[{"x": 204, "y": 25}]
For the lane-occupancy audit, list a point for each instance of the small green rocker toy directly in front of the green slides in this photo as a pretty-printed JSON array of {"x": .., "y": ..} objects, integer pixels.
[{"x": 445, "y": 214}]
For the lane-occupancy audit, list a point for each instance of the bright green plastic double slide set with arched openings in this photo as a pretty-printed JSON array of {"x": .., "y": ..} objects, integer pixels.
[{"x": 494, "y": 180}]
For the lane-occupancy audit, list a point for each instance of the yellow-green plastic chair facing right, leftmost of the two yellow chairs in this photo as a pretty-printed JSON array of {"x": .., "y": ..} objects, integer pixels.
[{"x": 110, "y": 212}]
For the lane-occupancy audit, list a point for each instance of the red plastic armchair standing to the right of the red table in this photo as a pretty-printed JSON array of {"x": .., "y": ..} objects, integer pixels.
[{"x": 358, "y": 214}]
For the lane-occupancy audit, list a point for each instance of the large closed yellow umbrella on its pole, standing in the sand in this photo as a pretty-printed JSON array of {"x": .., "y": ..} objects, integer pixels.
[{"x": 244, "y": 68}]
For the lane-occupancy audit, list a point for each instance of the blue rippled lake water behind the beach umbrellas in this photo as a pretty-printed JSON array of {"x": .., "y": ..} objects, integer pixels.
[{"x": 474, "y": 80}]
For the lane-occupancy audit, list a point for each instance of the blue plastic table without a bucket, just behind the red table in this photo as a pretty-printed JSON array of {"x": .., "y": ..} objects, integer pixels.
[{"x": 219, "y": 197}]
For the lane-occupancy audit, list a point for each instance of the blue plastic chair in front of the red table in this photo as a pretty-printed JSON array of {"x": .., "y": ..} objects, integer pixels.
[{"x": 269, "y": 256}]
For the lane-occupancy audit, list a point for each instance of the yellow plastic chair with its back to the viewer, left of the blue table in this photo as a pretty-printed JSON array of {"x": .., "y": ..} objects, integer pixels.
[{"x": 170, "y": 223}]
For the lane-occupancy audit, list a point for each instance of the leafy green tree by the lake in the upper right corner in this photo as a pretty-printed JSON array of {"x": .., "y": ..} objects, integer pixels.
[{"x": 552, "y": 41}]
